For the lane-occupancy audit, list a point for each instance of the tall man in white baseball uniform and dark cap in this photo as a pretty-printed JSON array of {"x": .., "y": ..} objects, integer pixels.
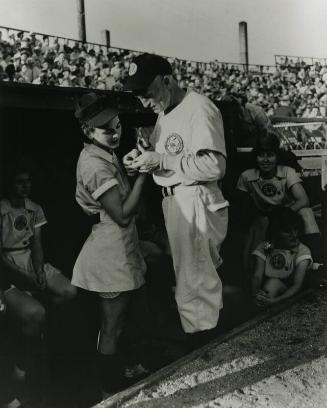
[{"x": 188, "y": 159}]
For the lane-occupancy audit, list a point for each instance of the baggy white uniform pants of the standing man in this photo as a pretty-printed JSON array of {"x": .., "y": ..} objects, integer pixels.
[{"x": 196, "y": 221}]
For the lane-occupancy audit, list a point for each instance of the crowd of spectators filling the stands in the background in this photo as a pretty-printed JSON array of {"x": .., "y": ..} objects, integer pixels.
[{"x": 46, "y": 60}]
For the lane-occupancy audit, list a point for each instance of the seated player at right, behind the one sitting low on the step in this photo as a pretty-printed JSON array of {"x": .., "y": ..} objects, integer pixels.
[{"x": 270, "y": 184}]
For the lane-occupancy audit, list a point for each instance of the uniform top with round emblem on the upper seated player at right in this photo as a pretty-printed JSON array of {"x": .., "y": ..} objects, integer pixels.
[{"x": 267, "y": 193}]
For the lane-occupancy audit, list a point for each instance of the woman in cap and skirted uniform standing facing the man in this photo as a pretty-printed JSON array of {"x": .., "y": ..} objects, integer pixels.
[{"x": 110, "y": 263}]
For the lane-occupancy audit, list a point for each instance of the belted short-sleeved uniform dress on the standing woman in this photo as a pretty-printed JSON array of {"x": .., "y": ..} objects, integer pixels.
[{"x": 110, "y": 260}]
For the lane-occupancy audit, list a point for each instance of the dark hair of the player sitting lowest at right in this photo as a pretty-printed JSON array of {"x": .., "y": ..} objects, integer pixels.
[{"x": 283, "y": 219}]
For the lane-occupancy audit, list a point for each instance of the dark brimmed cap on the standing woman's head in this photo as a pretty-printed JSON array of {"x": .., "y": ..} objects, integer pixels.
[{"x": 94, "y": 110}]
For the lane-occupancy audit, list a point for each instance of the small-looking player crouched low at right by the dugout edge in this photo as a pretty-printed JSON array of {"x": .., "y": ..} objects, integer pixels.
[{"x": 281, "y": 262}]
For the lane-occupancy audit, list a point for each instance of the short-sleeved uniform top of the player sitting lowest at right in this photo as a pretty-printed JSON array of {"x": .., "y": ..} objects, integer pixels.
[{"x": 281, "y": 263}]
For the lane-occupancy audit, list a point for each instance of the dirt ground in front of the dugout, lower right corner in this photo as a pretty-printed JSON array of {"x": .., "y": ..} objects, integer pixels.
[{"x": 280, "y": 363}]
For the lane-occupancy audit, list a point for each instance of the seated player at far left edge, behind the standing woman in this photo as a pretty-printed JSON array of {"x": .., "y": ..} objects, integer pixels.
[{"x": 27, "y": 276}]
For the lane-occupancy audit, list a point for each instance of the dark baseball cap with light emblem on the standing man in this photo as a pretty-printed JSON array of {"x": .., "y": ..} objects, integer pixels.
[{"x": 143, "y": 69}]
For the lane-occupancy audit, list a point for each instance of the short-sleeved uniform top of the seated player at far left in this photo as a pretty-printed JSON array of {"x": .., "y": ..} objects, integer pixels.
[{"x": 17, "y": 229}]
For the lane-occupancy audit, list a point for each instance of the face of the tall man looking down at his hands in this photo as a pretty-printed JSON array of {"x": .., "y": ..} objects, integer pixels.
[{"x": 156, "y": 96}]
